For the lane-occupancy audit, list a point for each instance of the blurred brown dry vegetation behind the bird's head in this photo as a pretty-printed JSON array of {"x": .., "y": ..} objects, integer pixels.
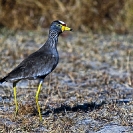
[{"x": 84, "y": 15}]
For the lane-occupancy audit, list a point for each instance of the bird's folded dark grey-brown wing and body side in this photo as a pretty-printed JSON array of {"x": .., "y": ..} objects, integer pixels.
[{"x": 36, "y": 65}]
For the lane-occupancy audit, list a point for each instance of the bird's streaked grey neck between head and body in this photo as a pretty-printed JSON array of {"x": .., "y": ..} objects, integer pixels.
[{"x": 52, "y": 39}]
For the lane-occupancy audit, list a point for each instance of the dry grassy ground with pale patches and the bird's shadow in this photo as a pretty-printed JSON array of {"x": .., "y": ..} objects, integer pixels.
[{"x": 90, "y": 91}]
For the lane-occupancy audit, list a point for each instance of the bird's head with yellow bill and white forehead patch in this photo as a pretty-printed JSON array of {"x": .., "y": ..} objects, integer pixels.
[{"x": 59, "y": 26}]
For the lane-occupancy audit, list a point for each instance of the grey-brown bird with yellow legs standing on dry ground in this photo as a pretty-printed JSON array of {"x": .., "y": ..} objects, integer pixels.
[{"x": 38, "y": 64}]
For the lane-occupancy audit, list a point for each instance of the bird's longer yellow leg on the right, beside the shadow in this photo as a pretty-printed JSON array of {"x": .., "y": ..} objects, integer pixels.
[{"x": 37, "y": 94}]
